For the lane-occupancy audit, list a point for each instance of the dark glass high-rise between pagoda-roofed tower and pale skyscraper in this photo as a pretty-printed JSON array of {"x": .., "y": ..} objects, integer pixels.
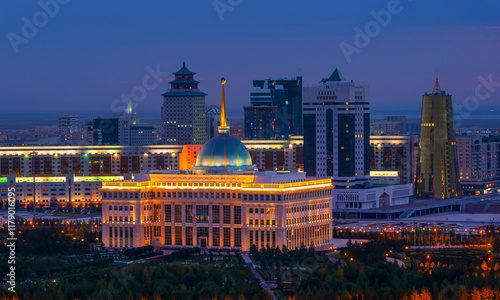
[{"x": 285, "y": 96}]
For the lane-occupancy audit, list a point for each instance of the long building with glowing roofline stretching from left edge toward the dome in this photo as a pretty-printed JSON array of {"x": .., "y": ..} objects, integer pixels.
[{"x": 49, "y": 161}]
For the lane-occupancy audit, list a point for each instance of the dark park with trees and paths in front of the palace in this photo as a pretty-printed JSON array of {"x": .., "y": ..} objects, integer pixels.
[{"x": 64, "y": 260}]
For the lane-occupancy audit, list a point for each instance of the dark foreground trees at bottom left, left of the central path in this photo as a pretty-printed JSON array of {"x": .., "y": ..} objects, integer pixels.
[{"x": 142, "y": 281}]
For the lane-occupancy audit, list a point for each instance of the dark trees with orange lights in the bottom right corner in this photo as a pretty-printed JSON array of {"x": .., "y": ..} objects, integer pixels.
[{"x": 370, "y": 277}]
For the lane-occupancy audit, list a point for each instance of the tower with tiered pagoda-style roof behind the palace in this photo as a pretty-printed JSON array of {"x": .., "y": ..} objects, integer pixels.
[{"x": 183, "y": 110}]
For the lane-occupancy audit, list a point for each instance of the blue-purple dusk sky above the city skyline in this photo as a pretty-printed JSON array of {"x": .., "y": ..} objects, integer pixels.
[{"x": 91, "y": 52}]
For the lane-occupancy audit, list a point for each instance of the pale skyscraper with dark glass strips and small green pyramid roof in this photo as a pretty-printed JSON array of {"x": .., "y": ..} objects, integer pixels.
[{"x": 337, "y": 131}]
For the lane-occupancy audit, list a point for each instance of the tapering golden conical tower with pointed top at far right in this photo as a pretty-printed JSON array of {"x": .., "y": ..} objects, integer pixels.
[{"x": 437, "y": 166}]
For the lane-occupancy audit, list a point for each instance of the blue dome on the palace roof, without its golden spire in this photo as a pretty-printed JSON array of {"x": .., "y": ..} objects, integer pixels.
[{"x": 224, "y": 151}]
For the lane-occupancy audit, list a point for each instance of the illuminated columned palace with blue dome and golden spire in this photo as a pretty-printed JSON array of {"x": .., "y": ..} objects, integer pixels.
[{"x": 223, "y": 202}]
